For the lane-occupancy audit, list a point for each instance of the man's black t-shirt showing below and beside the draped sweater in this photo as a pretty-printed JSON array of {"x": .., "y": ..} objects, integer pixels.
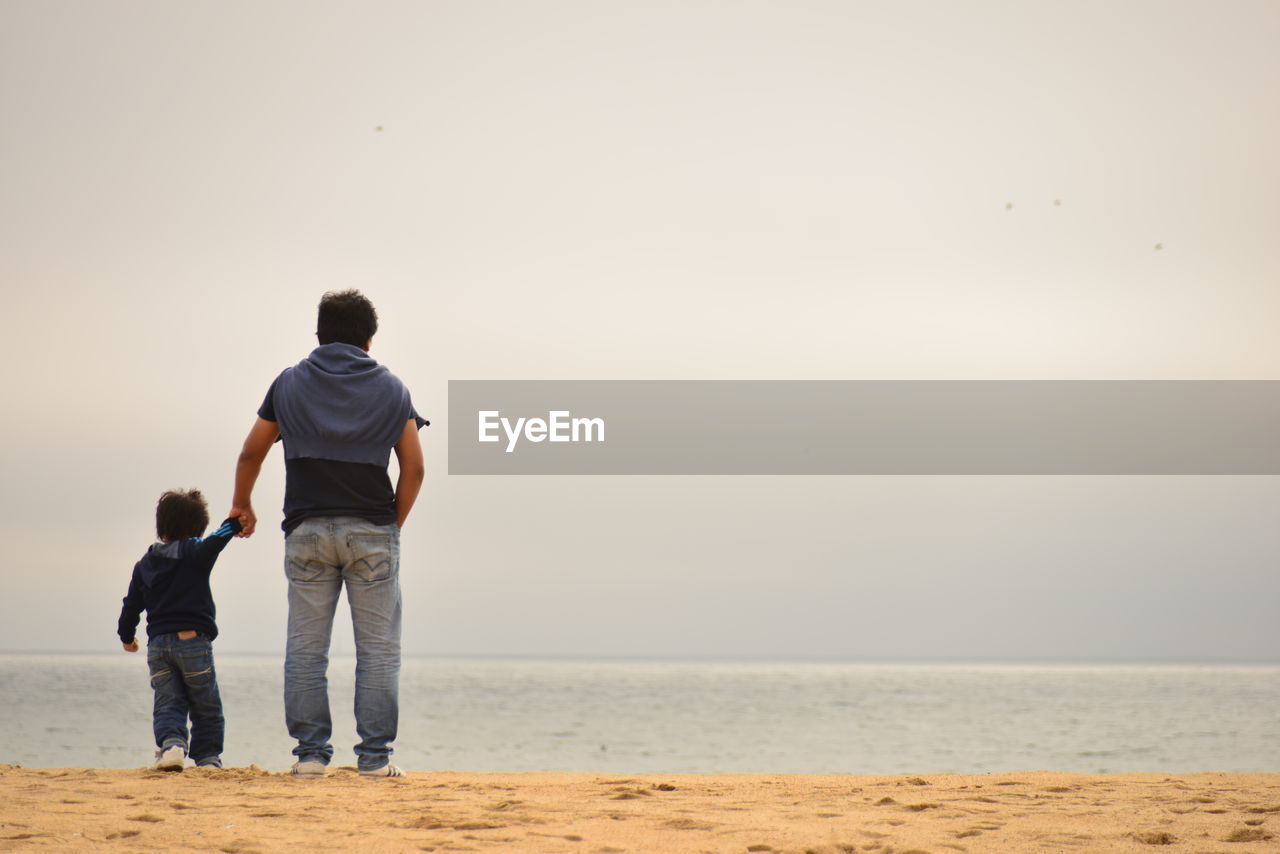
[{"x": 331, "y": 487}]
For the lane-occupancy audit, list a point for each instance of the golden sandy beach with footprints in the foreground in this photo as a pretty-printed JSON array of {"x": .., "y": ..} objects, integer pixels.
[{"x": 240, "y": 811}]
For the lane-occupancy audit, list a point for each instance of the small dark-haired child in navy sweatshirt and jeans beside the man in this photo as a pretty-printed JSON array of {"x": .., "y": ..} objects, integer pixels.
[{"x": 171, "y": 583}]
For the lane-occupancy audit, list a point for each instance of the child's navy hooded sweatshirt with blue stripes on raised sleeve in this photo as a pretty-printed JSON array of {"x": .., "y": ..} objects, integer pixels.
[{"x": 171, "y": 583}]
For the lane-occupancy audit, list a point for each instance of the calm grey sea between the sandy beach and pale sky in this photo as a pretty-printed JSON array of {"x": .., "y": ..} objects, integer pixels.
[{"x": 691, "y": 716}]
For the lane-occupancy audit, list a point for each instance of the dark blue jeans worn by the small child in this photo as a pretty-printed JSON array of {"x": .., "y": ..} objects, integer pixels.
[{"x": 185, "y": 684}]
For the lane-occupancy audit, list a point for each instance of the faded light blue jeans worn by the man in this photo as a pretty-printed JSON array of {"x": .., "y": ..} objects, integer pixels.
[{"x": 321, "y": 556}]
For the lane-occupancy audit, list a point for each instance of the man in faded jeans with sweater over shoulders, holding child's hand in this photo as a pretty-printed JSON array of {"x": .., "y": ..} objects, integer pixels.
[{"x": 340, "y": 415}]
